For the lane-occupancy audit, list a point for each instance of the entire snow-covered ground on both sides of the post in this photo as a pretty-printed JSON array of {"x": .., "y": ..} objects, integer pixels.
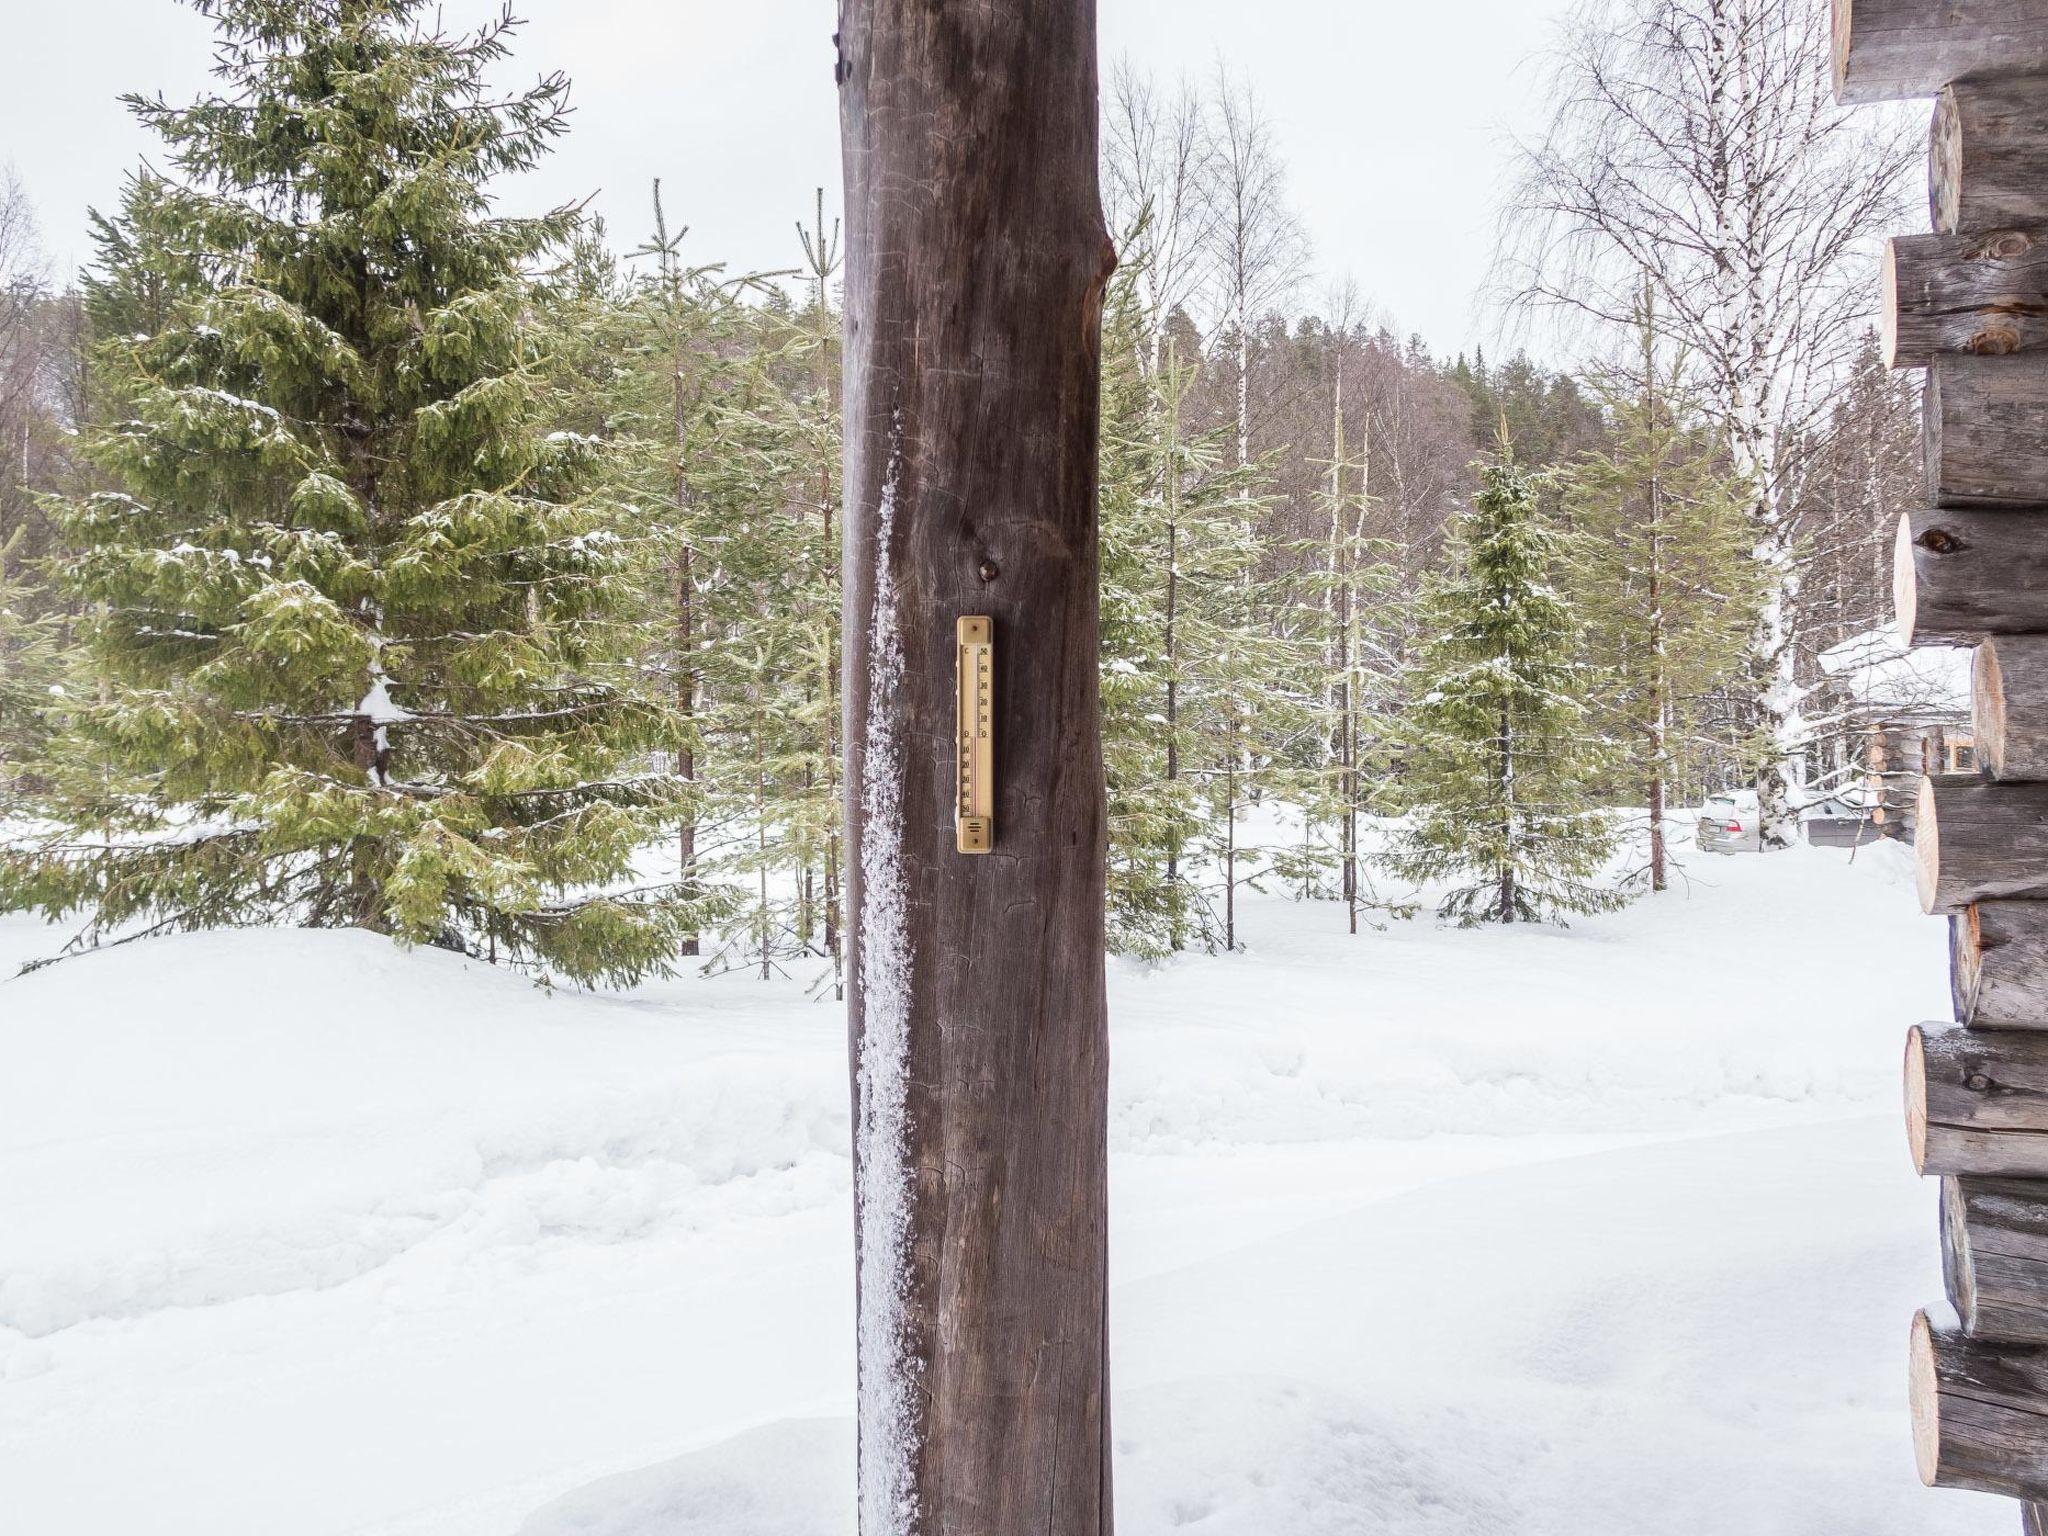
[{"x": 1590, "y": 1234}]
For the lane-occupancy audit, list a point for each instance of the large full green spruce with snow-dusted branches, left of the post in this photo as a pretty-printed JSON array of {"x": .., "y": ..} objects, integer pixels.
[{"x": 359, "y": 611}]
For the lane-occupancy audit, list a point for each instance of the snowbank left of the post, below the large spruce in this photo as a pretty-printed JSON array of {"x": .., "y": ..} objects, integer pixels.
[{"x": 218, "y": 1117}]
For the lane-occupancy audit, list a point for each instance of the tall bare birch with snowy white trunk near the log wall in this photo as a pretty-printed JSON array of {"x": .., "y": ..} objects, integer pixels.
[{"x": 1697, "y": 144}]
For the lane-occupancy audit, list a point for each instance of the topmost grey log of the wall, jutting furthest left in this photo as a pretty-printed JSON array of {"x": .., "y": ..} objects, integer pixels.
[{"x": 1889, "y": 50}]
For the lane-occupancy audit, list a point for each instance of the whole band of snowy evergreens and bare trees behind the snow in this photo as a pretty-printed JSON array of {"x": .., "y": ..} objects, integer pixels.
[{"x": 374, "y": 558}]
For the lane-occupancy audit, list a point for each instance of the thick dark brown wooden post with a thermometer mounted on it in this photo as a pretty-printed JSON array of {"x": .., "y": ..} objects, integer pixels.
[{"x": 974, "y": 290}]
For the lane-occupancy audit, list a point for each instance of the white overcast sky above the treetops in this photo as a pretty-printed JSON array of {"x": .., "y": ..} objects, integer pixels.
[{"x": 1394, "y": 118}]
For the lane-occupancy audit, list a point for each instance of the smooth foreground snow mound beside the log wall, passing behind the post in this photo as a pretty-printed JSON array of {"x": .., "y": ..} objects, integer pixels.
[{"x": 1658, "y": 1338}]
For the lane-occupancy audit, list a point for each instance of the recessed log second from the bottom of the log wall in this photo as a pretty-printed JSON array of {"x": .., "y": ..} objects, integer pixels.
[{"x": 1996, "y": 1256}]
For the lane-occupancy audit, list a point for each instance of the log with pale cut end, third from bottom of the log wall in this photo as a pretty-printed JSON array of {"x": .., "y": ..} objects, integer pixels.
[{"x": 1977, "y": 1101}]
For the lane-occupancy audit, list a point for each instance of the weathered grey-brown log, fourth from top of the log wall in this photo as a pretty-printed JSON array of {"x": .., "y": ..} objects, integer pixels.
[{"x": 1986, "y": 431}]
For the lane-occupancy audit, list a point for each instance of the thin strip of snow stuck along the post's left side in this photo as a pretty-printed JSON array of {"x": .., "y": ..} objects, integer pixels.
[{"x": 888, "y": 1420}]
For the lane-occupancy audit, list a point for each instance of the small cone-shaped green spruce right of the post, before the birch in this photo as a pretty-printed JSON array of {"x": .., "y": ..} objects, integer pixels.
[{"x": 1502, "y": 759}]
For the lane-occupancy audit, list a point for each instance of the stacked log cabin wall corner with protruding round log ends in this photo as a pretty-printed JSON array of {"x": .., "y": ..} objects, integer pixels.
[{"x": 1969, "y": 304}]
